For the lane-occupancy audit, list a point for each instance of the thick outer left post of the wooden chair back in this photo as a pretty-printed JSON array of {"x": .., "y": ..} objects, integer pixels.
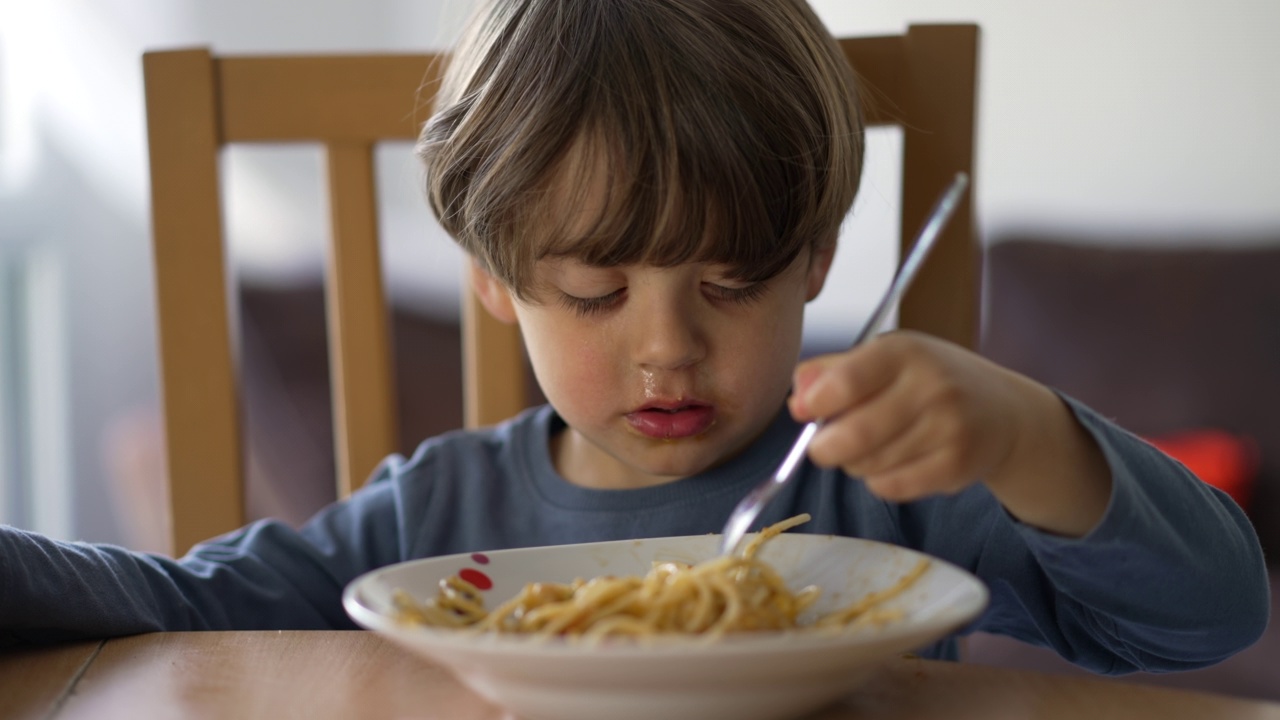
[{"x": 199, "y": 384}]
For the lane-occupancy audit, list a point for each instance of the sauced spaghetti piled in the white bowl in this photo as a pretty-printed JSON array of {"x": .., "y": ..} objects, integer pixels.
[{"x": 723, "y": 595}]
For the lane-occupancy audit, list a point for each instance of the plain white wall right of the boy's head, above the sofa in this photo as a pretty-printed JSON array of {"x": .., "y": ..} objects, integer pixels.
[{"x": 1146, "y": 120}]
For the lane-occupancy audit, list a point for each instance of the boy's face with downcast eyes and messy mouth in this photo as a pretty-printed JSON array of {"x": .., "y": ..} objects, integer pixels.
[{"x": 660, "y": 373}]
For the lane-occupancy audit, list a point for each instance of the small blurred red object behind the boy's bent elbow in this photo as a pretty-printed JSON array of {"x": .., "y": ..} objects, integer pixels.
[{"x": 1227, "y": 462}]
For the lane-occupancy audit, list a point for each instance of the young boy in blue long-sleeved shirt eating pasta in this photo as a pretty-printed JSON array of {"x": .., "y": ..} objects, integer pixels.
[{"x": 653, "y": 192}]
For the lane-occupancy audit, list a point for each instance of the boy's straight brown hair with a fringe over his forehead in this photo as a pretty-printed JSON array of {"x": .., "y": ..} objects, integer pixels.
[{"x": 723, "y": 131}]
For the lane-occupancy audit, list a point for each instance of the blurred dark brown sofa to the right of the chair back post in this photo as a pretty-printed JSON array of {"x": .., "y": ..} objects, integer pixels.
[{"x": 1163, "y": 340}]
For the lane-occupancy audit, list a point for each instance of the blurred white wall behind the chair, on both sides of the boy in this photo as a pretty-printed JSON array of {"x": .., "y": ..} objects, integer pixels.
[{"x": 1137, "y": 117}]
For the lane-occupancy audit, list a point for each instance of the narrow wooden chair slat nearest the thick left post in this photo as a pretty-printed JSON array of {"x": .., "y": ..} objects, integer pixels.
[{"x": 360, "y": 368}]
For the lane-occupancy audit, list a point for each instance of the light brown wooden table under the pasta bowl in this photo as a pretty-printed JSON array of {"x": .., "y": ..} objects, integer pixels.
[{"x": 356, "y": 675}]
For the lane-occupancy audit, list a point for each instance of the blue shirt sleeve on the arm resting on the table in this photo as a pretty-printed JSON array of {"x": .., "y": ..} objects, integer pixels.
[{"x": 267, "y": 576}]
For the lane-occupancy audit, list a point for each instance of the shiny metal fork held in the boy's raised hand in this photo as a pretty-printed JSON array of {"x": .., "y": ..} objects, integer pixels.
[{"x": 751, "y": 507}]
